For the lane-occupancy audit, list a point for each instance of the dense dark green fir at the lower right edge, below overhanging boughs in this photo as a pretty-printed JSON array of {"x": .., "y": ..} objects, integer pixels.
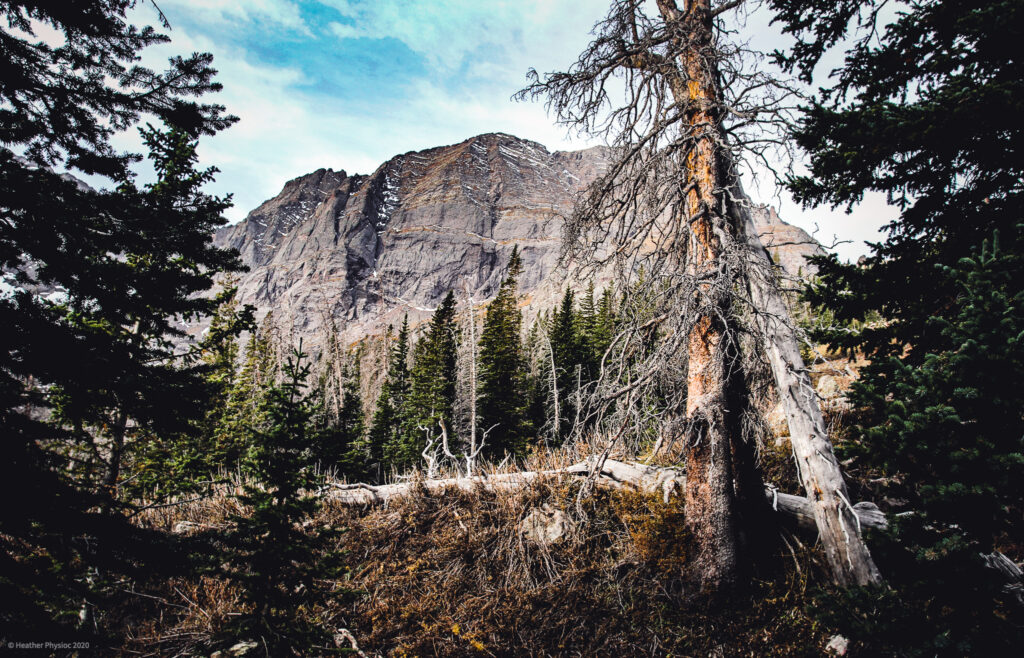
[{"x": 948, "y": 437}]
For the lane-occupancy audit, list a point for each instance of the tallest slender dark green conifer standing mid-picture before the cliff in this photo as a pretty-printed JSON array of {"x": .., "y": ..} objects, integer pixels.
[{"x": 502, "y": 369}]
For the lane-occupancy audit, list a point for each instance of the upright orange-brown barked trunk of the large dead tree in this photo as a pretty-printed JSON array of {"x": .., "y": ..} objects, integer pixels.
[{"x": 711, "y": 514}]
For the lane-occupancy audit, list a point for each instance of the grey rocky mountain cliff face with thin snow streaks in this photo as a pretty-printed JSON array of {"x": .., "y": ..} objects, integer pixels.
[{"x": 363, "y": 251}]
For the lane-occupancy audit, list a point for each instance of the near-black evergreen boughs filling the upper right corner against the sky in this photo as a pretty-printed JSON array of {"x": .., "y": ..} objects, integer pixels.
[{"x": 924, "y": 111}]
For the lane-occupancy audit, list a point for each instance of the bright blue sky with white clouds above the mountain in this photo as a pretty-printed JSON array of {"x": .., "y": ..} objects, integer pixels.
[{"x": 348, "y": 84}]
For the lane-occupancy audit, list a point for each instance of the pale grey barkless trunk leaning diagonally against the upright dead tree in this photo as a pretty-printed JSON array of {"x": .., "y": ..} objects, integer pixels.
[{"x": 819, "y": 469}]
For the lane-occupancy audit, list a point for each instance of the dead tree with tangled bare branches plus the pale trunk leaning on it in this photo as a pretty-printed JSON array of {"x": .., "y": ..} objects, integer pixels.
[{"x": 682, "y": 110}]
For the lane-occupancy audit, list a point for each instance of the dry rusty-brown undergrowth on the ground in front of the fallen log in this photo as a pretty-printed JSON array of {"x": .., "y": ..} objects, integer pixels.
[{"x": 452, "y": 575}]
